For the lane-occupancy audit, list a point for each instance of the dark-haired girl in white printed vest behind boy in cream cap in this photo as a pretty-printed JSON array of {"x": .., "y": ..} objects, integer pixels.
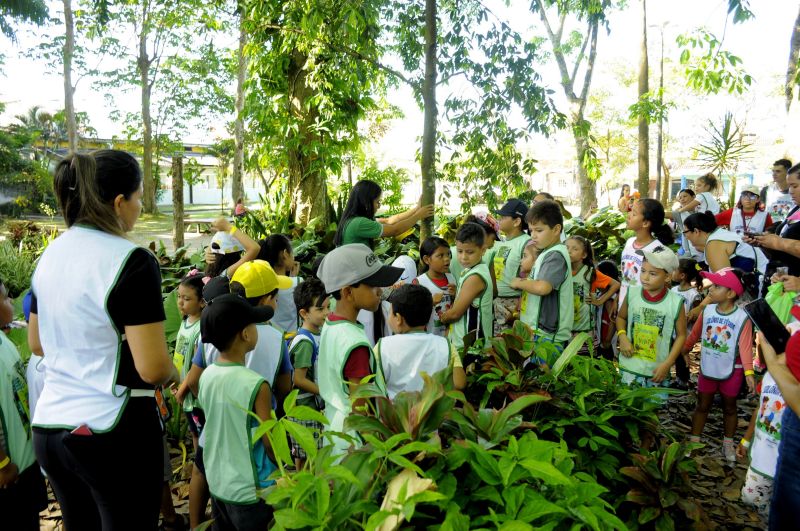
[{"x": 646, "y": 219}]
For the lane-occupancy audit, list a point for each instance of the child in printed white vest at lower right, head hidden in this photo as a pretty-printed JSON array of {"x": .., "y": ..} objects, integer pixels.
[{"x": 764, "y": 433}]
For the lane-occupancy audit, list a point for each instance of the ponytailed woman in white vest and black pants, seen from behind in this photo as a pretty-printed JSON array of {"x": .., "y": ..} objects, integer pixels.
[{"x": 98, "y": 317}]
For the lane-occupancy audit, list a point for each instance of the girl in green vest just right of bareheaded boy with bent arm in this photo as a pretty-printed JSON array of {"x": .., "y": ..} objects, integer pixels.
[{"x": 586, "y": 282}]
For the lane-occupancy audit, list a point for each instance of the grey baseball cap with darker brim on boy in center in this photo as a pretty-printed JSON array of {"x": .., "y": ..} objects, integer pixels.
[{"x": 353, "y": 264}]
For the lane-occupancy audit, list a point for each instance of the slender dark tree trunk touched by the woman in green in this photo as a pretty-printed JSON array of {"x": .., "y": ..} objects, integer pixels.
[{"x": 428, "y": 163}]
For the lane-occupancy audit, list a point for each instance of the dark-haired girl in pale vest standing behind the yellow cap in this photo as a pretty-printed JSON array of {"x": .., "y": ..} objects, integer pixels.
[{"x": 277, "y": 250}]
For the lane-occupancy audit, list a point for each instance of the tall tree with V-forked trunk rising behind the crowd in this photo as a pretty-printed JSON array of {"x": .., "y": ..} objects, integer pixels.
[{"x": 576, "y": 90}]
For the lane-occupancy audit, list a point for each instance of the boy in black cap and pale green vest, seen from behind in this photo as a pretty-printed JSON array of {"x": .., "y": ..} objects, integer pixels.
[{"x": 230, "y": 394}]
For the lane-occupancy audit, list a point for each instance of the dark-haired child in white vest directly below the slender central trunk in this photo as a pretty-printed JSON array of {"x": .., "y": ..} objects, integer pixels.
[{"x": 435, "y": 256}]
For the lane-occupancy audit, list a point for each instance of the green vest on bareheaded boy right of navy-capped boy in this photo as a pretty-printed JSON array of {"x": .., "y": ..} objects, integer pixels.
[{"x": 531, "y": 304}]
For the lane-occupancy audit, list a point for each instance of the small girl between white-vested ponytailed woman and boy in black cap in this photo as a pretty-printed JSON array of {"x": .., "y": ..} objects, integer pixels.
[{"x": 190, "y": 304}]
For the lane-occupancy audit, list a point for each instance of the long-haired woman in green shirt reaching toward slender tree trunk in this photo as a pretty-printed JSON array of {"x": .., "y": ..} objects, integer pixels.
[{"x": 358, "y": 223}]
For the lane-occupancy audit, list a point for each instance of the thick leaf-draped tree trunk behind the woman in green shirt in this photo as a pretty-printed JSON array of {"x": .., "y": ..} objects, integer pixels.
[{"x": 307, "y": 182}]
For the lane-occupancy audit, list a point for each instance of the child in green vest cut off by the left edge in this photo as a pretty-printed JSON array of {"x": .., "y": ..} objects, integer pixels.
[{"x": 22, "y": 489}]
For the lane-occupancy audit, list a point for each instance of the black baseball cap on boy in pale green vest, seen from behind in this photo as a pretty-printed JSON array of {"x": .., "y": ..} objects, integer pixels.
[{"x": 227, "y": 315}]
